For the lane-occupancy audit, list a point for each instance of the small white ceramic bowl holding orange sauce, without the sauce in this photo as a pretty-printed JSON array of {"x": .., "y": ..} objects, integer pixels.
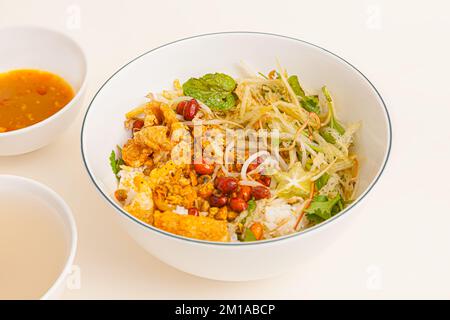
[{"x": 39, "y": 48}]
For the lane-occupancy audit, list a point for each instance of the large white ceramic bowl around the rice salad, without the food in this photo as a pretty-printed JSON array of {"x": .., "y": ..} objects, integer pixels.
[{"x": 356, "y": 99}]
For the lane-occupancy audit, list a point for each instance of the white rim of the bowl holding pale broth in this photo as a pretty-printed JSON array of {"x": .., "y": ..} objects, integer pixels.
[{"x": 64, "y": 211}]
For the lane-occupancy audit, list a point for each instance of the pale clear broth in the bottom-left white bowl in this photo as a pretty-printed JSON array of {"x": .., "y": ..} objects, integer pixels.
[{"x": 33, "y": 247}]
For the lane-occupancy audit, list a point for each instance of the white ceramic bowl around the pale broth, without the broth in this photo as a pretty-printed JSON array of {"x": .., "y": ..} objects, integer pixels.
[{"x": 62, "y": 213}]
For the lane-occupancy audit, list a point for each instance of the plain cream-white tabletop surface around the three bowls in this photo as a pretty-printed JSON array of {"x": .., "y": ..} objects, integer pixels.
[{"x": 398, "y": 247}]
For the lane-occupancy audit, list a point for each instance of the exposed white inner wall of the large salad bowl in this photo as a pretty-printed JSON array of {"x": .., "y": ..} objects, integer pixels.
[{"x": 355, "y": 98}]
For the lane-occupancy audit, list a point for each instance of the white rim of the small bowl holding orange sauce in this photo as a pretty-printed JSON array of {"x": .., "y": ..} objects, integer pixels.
[{"x": 78, "y": 93}]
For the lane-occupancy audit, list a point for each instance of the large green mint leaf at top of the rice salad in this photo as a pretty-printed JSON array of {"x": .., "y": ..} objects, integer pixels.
[{"x": 215, "y": 90}]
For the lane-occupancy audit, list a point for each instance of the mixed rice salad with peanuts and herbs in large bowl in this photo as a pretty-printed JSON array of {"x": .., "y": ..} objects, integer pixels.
[{"x": 224, "y": 159}]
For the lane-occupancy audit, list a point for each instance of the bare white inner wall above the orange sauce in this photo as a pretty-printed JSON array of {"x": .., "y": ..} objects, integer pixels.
[{"x": 39, "y": 48}]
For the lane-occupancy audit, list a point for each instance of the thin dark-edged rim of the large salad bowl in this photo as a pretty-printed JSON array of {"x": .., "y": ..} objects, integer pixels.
[{"x": 253, "y": 243}]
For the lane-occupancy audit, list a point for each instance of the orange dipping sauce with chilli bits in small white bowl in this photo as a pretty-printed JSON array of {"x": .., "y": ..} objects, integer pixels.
[{"x": 29, "y": 96}]
